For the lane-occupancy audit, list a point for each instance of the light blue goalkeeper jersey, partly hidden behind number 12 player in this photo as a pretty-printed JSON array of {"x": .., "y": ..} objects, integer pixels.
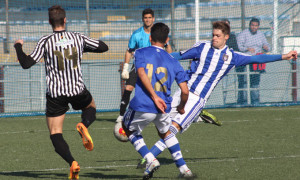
[{"x": 139, "y": 39}]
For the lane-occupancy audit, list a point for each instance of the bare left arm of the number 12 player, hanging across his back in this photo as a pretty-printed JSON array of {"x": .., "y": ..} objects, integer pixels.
[{"x": 160, "y": 103}]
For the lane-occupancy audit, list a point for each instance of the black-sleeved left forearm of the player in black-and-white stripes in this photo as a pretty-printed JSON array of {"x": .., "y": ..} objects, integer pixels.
[{"x": 26, "y": 61}]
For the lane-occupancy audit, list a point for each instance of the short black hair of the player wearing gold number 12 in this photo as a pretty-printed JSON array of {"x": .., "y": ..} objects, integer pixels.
[{"x": 159, "y": 32}]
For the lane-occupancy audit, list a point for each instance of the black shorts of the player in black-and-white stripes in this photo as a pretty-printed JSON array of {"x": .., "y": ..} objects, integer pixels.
[{"x": 60, "y": 105}]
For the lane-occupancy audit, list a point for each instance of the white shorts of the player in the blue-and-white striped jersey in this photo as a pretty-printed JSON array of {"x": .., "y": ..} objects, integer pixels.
[{"x": 192, "y": 109}]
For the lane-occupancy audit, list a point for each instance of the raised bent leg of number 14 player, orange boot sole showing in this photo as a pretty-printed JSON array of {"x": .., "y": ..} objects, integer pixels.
[{"x": 86, "y": 103}]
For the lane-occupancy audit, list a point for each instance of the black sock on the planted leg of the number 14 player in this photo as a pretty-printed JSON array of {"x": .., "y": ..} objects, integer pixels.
[{"x": 61, "y": 147}]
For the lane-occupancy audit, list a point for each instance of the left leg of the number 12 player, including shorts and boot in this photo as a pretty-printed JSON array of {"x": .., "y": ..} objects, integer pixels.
[{"x": 133, "y": 124}]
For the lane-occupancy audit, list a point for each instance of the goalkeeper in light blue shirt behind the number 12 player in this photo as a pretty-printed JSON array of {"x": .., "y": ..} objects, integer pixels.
[{"x": 138, "y": 39}]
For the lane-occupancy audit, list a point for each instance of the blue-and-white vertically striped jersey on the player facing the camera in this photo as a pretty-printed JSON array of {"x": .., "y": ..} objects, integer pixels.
[{"x": 210, "y": 65}]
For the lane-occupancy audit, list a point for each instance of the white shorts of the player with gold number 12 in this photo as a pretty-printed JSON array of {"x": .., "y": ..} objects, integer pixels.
[{"x": 137, "y": 121}]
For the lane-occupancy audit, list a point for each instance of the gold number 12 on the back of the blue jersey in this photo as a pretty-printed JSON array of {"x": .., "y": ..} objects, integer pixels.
[{"x": 158, "y": 86}]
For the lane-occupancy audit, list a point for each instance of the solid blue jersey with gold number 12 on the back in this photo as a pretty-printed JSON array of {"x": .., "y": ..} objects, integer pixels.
[{"x": 162, "y": 69}]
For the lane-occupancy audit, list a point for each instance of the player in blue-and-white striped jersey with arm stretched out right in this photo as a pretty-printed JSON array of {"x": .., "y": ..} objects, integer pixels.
[{"x": 212, "y": 60}]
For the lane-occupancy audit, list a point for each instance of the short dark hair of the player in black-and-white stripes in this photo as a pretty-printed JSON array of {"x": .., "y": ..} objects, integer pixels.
[{"x": 57, "y": 15}]
